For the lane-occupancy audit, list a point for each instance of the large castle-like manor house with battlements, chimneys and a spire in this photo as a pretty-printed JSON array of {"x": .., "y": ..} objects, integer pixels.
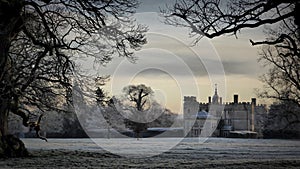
[{"x": 234, "y": 119}]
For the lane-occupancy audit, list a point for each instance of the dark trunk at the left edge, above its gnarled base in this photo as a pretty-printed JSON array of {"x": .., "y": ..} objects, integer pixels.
[{"x": 10, "y": 24}]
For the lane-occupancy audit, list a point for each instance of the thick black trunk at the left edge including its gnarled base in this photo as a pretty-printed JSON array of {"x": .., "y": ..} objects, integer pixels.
[{"x": 10, "y": 24}]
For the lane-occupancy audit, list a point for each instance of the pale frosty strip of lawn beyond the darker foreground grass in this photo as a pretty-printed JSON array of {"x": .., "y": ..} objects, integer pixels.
[{"x": 218, "y": 147}]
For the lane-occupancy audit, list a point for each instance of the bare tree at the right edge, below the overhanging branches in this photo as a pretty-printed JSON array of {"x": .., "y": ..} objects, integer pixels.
[{"x": 282, "y": 55}]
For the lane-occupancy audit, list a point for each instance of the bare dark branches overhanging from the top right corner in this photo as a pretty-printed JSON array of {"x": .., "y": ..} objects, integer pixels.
[{"x": 212, "y": 18}]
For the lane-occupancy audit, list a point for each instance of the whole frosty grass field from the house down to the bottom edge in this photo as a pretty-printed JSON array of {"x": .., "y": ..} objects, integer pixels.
[{"x": 189, "y": 153}]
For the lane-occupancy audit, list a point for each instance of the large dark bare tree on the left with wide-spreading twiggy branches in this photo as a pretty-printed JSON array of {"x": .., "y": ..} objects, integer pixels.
[{"x": 40, "y": 39}]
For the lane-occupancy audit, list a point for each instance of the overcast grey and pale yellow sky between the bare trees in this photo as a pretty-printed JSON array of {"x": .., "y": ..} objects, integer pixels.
[{"x": 174, "y": 68}]
